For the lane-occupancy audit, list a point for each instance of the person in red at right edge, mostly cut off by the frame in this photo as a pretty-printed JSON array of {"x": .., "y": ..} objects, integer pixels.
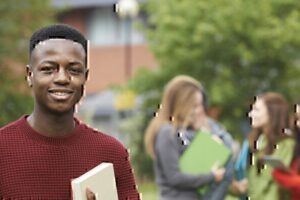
[{"x": 291, "y": 179}]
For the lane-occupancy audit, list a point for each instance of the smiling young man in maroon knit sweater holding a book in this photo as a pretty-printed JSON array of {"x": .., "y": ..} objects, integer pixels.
[{"x": 42, "y": 152}]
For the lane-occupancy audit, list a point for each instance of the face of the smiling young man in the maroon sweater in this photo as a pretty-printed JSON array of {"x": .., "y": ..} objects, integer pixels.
[{"x": 57, "y": 75}]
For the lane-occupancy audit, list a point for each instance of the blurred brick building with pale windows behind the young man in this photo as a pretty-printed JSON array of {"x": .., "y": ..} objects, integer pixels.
[{"x": 111, "y": 59}]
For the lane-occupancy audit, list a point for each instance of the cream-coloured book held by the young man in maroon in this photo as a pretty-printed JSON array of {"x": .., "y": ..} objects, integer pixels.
[{"x": 100, "y": 180}]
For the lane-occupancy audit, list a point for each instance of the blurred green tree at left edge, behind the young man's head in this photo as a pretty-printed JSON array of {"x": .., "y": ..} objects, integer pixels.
[{"x": 17, "y": 21}]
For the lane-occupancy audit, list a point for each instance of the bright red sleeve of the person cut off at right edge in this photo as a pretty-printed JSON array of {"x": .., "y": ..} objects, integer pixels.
[{"x": 289, "y": 180}]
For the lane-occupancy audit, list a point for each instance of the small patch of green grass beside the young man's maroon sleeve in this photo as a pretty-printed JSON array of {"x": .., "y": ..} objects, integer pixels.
[{"x": 148, "y": 190}]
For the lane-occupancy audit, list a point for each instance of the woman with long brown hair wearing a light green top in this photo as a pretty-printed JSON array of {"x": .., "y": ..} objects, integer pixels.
[{"x": 269, "y": 120}]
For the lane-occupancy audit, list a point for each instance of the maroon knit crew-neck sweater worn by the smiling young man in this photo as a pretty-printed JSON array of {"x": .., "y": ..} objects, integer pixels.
[{"x": 33, "y": 166}]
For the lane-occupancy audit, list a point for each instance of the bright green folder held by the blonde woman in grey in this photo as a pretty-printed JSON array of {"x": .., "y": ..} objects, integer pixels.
[{"x": 200, "y": 156}]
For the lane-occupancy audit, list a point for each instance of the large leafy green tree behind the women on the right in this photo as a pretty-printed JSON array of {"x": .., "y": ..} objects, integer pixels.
[{"x": 236, "y": 48}]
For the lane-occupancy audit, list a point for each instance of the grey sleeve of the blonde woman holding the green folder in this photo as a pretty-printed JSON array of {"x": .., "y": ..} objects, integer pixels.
[{"x": 167, "y": 153}]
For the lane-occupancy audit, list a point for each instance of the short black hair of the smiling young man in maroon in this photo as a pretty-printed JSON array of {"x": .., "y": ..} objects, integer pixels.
[{"x": 61, "y": 31}]
